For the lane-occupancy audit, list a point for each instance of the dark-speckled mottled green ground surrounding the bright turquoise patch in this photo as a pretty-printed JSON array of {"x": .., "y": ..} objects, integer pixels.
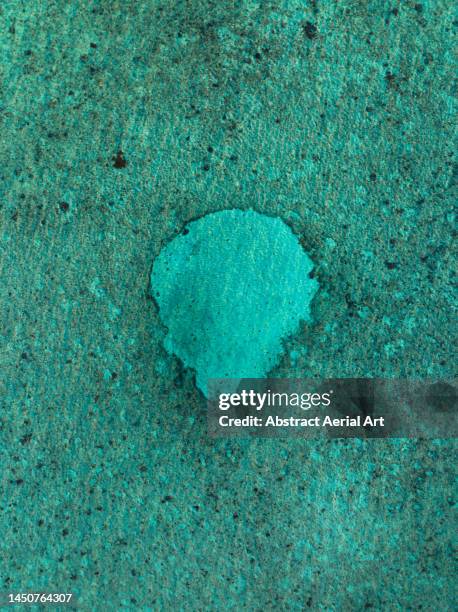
[{"x": 120, "y": 122}]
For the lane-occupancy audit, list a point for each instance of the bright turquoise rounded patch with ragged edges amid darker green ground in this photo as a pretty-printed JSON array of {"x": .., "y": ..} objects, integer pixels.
[{"x": 230, "y": 291}]
